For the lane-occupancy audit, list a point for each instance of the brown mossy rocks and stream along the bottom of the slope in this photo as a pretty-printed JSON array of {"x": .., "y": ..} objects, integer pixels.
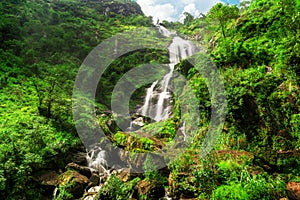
[{"x": 83, "y": 179}]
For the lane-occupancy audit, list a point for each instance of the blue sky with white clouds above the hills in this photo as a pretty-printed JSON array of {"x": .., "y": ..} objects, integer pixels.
[{"x": 172, "y": 10}]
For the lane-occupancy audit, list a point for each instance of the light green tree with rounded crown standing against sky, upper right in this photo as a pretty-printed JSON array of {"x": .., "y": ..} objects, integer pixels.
[{"x": 223, "y": 14}]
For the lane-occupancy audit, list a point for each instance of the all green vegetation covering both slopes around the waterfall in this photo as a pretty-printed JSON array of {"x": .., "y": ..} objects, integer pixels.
[{"x": 255, "y": 48}]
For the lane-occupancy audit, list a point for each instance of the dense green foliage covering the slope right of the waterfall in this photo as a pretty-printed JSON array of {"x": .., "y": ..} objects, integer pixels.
[{"x": 257, "y": 56}]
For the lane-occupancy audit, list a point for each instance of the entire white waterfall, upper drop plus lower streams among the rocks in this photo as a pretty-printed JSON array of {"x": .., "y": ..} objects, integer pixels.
[{"x": 157, "y": 105}]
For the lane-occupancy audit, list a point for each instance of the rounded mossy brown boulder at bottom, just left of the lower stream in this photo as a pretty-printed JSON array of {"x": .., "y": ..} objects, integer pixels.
[{"x": 73, "y": 182}]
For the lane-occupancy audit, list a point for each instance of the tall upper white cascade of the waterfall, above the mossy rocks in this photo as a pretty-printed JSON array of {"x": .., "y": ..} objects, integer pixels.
[{"x": 158, "y": 101}]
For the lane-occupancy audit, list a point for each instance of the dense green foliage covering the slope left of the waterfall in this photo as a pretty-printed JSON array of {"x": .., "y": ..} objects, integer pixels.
[{"x": 42, "y": 44}]
